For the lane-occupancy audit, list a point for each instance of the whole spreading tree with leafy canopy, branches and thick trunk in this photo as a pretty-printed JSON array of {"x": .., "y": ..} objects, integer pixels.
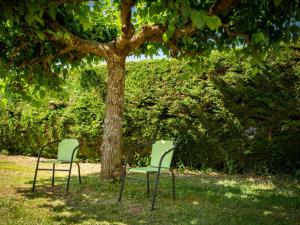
[{"x": 42, "y": 38}]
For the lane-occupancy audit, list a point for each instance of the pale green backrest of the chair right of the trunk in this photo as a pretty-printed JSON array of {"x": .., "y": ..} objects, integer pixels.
[{"x": 158, "y": 149}]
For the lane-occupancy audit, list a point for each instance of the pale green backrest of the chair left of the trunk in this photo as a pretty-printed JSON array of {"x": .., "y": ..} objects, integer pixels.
[{"x": 66, "y": 148}]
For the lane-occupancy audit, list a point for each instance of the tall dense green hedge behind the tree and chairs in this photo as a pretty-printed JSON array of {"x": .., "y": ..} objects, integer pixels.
[{"x": 224, "y": 114}]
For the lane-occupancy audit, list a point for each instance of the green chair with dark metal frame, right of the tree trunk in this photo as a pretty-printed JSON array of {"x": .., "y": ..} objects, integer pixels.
[{"x": 161, "y": 158}]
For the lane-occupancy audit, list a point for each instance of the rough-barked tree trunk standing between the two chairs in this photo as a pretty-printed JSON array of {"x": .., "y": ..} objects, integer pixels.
[{"x": 112, "y": 133}]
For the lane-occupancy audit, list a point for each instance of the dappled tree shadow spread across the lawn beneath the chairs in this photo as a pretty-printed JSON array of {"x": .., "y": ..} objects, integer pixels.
[{"x": 201, "y": 199}]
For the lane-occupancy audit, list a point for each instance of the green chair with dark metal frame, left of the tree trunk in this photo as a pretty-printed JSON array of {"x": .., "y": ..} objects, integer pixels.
[{"x": 67, "y": 151}]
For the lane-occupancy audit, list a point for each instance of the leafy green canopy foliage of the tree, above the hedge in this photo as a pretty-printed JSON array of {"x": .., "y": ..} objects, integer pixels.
[{"x": 36, "y": 37}]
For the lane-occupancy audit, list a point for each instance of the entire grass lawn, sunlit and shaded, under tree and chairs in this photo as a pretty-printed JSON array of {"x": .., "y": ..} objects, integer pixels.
[{"x": 202, "y": 198}]
